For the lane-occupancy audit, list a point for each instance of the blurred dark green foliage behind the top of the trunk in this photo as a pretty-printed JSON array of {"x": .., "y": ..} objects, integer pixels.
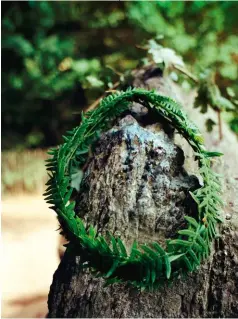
[{"x": 56, "y": 55}]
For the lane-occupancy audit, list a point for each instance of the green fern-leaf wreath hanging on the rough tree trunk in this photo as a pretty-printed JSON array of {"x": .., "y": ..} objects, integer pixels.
[{"x": 150, "y": 265}]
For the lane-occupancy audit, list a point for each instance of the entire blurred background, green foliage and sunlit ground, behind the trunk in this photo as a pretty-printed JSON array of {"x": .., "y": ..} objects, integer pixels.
[{"x": 57, "y": 59}]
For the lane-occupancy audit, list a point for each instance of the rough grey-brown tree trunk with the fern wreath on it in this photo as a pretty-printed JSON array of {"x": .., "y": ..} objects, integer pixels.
[{"x": 136, "y": 185}]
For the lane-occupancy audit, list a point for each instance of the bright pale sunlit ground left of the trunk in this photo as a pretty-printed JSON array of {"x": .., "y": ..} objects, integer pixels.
[{"x": 29, "y": 255}]
